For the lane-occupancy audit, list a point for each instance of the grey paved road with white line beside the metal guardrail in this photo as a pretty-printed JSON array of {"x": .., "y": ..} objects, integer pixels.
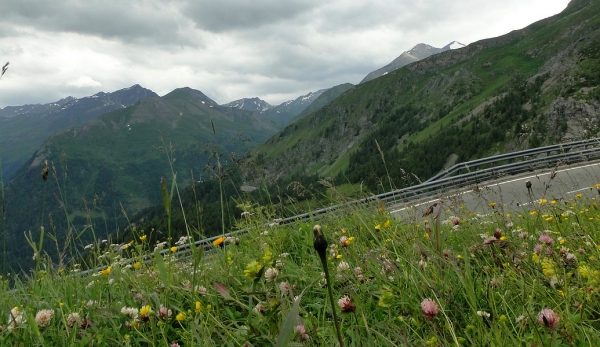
[{"x": 510, "y": 194}]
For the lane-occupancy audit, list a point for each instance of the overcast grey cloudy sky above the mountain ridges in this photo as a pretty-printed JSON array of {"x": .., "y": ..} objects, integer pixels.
[{"x": 276, "y": 50}]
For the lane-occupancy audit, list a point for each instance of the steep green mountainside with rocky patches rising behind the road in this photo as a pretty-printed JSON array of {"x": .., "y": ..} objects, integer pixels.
[{"x": 533, "y": 86}]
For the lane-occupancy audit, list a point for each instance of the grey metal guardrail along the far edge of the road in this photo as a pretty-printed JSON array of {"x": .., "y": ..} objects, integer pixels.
[{"x": 432, "y": 187}]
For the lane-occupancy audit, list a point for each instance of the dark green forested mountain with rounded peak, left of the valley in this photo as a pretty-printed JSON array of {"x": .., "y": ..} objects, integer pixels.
[{"x": 113, "y": 164}]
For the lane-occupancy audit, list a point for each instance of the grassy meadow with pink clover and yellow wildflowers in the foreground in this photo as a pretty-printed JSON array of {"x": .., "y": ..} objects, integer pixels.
[{"x": 524, "y": 278}]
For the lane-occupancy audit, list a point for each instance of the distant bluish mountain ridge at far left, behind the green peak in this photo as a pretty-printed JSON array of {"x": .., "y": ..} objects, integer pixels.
[{"x": 24, "y": 128}]
